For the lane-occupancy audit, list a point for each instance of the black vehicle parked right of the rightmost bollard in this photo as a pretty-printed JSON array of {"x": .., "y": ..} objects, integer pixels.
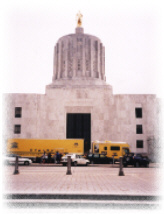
[{"x": 136, "y": 160}]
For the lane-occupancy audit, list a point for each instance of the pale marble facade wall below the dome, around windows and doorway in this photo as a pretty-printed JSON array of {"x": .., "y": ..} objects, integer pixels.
[{"x": 112, "y": 116}]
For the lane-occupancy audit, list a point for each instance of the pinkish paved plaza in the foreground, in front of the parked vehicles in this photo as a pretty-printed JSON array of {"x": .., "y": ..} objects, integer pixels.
[{"x": 86, "y": 184}]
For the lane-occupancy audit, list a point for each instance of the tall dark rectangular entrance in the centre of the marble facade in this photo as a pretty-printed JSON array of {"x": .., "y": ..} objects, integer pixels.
[{"x": 79, "y": 126}]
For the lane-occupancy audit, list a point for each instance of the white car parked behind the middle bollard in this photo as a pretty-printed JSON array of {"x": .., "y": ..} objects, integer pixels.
[{"x": 75, "y": 160}]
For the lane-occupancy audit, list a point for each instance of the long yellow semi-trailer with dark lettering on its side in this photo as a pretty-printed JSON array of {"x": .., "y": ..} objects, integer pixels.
[{"x": 35, "y": 148}]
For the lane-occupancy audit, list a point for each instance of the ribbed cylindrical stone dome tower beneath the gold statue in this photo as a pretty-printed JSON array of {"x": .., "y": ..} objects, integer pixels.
[{"x": 79, "y": 59}]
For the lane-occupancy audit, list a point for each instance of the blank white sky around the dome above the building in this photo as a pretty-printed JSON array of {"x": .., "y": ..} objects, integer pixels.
[{"x": 131, "y": 32}]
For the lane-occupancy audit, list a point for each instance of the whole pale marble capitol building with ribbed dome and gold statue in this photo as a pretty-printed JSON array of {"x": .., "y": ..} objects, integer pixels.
[{"x": 79, "y": 103}]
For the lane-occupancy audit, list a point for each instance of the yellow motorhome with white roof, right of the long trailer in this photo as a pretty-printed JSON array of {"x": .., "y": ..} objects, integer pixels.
[{"x": 111, "y": 149}]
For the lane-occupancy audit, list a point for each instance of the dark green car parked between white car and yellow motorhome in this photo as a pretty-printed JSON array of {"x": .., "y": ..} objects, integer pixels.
[{"x": 98, "y": 159}]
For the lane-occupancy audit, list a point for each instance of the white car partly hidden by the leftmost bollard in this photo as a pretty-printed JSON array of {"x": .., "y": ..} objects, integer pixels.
[{"x": 10, "y": 159}]
